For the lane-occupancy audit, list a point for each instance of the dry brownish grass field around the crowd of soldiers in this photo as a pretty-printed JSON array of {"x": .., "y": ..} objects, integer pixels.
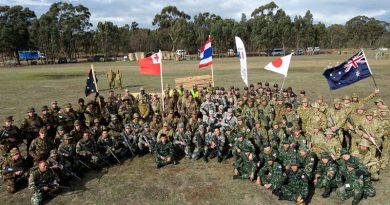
[{"x": 137, "y": 181}]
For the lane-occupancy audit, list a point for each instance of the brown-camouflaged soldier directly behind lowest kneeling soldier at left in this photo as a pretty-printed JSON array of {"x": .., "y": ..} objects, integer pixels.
[{"x": 40, "y": 146}]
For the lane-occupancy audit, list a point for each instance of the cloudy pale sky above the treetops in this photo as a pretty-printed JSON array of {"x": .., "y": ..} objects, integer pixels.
[{"x": 124, "y": 12}]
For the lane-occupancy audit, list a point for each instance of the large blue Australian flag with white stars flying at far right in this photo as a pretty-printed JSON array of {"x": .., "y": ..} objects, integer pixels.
[{"x": 350, "y": 71}]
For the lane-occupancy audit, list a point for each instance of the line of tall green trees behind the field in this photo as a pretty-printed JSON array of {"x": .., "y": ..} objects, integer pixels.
[{"x": 65, "y": 30}]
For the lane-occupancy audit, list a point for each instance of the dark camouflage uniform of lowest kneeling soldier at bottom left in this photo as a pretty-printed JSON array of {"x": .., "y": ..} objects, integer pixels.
[{"x": 38, "y": 179}]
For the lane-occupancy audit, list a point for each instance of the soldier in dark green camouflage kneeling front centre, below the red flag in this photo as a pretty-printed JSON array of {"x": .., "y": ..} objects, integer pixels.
[{"x": 164, "y": 154}]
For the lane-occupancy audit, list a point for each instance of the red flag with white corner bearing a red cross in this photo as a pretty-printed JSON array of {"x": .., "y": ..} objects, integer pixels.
[{"x": 150, "y": 65}]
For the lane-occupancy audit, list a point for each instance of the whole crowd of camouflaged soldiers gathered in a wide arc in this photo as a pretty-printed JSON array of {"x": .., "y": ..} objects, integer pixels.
[{"x": 284, "y": 142}]
